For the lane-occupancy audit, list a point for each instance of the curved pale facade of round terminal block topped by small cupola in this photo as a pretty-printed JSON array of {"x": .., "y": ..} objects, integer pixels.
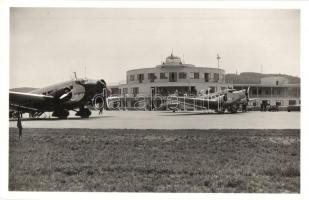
[{"x": 169, "y": 77}]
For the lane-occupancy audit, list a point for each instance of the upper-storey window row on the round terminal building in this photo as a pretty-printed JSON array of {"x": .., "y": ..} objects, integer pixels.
[{"x": 172, "y": 76}]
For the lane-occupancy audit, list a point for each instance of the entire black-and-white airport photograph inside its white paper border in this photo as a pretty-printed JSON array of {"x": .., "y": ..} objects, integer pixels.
[{"x": 161, "y": 100}]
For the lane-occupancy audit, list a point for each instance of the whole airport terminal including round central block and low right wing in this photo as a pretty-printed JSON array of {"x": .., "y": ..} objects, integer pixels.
[{"x": 173, "y": 76}]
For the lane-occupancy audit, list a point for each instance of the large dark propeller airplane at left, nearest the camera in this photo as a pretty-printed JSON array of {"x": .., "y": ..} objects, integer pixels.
[{"x": 60, "y": 98}]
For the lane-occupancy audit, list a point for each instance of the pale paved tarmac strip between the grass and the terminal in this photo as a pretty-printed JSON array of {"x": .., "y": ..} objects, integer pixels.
[{"x": 169, "y": 120}]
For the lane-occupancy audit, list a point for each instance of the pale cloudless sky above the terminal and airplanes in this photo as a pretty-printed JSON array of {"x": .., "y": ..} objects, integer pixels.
[{"x": 48, "y": 44}]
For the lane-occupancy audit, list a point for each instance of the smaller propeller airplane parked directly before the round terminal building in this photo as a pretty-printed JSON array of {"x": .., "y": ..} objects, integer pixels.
[{"x": 229, "y": 99}]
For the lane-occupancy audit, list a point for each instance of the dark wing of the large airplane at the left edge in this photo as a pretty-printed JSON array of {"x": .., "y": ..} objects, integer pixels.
[{"x": 29, "y": 102}]
